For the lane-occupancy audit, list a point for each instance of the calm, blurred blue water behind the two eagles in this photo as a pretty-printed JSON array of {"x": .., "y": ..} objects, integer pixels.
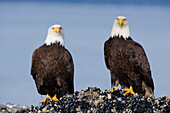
[{"x": 23, "y": 28}]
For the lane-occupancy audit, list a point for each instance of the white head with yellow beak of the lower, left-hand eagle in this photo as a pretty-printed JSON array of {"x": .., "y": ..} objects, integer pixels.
[{"x": 55, "y": 35}]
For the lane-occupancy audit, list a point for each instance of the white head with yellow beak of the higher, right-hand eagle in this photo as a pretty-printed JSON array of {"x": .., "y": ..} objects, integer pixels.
[{"x": 120, "y": 27}]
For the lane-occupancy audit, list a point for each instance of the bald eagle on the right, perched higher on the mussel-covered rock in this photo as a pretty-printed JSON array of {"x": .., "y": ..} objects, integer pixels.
[{"x": 127, "y": 61}]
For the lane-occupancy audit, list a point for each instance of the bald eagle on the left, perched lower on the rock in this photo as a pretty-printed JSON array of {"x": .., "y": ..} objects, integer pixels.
[{"x": 52, "y": 66}]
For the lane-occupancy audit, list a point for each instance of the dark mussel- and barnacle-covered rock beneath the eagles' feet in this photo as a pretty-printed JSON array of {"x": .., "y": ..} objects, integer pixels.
[{"x": 93, "y": 100}]
